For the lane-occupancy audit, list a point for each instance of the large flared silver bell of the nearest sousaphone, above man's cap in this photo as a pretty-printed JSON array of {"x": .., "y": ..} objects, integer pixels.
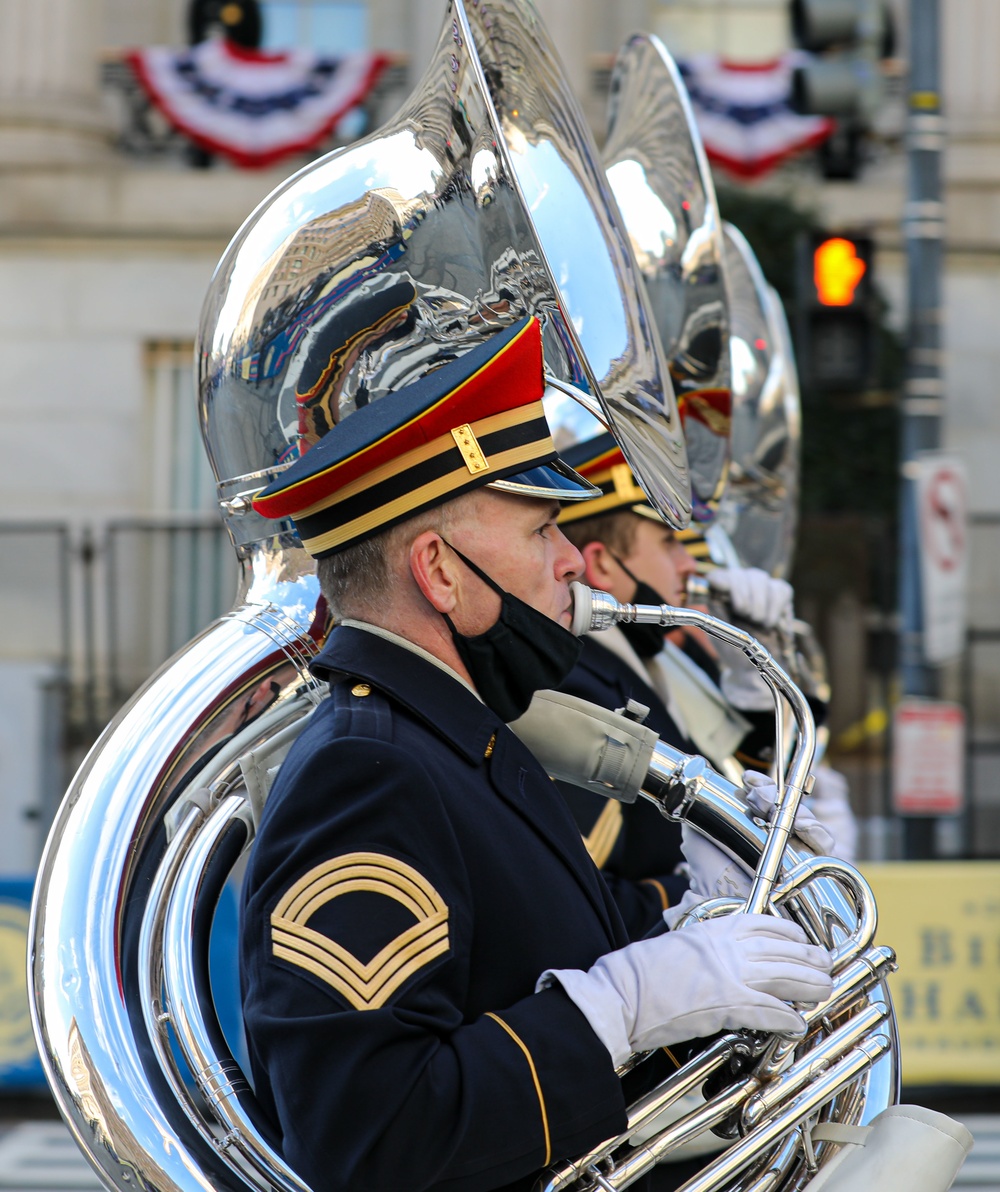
[{"x": 480, "y": 203}]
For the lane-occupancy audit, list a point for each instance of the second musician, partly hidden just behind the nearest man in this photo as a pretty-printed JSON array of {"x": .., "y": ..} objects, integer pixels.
[{"x": 631, "y": 552}]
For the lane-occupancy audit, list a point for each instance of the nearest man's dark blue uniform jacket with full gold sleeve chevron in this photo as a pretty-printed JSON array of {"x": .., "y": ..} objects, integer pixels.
[{"x": 414, "y": 874}]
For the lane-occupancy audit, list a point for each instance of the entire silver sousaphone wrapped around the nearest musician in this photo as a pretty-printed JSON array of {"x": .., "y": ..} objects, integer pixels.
[{"x": 357, "y": 274}]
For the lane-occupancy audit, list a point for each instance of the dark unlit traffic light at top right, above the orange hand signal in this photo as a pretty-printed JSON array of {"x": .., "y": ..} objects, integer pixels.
[{"x": 850, "y": 39}]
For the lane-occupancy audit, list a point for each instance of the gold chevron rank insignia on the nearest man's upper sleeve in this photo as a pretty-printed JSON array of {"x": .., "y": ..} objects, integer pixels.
[{"x": 365, "y": 986}]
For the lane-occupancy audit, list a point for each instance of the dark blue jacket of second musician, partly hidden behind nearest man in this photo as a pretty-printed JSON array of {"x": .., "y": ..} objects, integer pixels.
[{"x": 635, "y": 846}]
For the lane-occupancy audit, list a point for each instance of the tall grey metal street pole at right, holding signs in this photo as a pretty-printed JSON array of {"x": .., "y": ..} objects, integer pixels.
[{"x": 923, "y": 405}]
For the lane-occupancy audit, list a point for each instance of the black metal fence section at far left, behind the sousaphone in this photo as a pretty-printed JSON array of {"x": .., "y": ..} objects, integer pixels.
[{"x": 89, "y": 613}]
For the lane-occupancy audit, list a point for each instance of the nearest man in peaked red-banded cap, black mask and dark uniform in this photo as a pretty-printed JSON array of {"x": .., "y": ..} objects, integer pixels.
[{"x": 438, "y": 986}]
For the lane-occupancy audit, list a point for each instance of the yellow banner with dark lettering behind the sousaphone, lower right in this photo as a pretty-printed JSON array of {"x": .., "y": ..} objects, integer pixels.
[{"x": 943, "y": 921}]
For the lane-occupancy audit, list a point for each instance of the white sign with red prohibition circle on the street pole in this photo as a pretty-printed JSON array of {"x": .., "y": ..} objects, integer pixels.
[{"x": 943, "y": 529}]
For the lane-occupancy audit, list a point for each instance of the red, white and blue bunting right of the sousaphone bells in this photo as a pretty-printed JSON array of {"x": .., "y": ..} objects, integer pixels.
[{"x": 744, "y": 116}]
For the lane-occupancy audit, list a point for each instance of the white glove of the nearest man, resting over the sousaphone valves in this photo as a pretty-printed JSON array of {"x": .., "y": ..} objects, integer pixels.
[{"x": 721, "y": 974}]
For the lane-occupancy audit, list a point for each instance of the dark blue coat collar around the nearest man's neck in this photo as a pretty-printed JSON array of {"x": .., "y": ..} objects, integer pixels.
[{"x": 432, "y": 693}]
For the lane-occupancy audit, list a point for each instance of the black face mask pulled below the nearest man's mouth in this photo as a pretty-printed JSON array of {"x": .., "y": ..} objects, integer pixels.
[{"x": 524, "y": 653}]
